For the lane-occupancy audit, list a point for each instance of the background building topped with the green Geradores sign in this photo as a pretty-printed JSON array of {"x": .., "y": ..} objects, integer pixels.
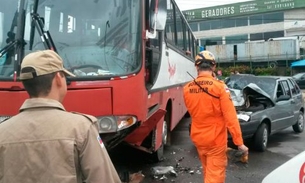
[{"x": 251, "y": 21}]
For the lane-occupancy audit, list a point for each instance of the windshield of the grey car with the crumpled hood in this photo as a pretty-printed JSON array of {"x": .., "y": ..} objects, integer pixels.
[{"x": 239, "y": 82}]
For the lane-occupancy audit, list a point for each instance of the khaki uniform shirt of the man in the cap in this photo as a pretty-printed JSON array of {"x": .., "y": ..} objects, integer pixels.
[{"x": 46, "y": 144}]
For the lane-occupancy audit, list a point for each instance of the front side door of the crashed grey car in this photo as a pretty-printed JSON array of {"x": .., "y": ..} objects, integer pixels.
[{"x": 283, "y": 114}]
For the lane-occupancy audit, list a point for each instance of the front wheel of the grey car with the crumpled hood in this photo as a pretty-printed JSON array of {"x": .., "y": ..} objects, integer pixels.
[{"x": 261, "y": 138}]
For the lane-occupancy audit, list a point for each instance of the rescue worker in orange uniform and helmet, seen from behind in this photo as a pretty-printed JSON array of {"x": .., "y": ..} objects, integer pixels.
[{"x": 213, "y": 113}]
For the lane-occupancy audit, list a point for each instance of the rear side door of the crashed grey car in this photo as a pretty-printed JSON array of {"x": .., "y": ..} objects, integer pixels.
[{"x": 297, "y": 97}]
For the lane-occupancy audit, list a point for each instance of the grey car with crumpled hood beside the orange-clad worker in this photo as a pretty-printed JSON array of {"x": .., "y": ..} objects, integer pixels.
[{"x": 266, "y": 105}]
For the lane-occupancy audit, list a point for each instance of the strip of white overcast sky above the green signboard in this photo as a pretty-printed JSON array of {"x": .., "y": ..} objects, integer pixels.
[{"x": 193, "y": 4}]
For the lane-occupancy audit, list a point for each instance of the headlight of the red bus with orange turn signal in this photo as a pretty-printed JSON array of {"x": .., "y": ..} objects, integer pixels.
[{"x": 108, "y": 124}]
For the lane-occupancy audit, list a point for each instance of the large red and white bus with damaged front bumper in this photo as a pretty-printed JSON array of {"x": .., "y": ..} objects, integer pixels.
[{"x": 130, "y": 58}]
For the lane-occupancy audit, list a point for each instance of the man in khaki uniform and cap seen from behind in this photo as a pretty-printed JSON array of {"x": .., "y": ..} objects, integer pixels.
[{"x": 46, "y": 144}]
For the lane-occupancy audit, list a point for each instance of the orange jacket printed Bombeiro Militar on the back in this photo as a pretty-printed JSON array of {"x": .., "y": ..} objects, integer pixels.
[{"x": 211, "y": 117}]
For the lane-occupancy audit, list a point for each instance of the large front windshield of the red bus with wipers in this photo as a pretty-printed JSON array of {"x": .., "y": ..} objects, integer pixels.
[{"x": 95, "y": 38}]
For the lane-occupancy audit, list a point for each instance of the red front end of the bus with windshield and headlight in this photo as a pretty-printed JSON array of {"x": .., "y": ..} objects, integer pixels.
[{"x": 100, "y": 41}]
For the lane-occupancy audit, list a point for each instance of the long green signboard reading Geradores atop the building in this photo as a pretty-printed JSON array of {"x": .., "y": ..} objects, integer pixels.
[{"x": 244, "y": 8}]
